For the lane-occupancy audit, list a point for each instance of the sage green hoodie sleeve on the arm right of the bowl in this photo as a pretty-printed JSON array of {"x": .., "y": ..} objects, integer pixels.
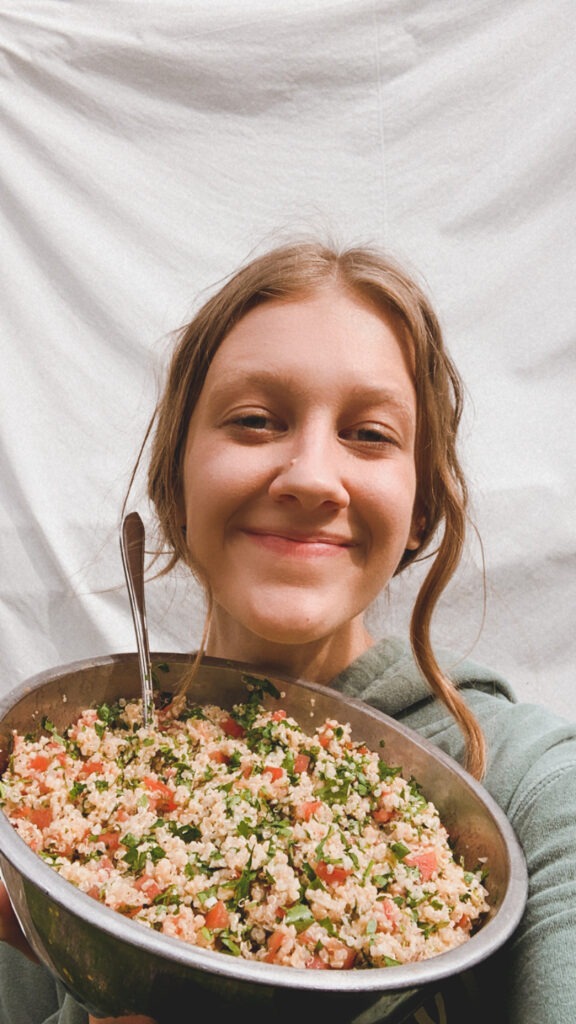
[{"x": 539, "y": 967}]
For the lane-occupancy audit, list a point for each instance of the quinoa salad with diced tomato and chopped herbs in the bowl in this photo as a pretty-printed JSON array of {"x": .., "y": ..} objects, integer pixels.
[{"x": 237, "y": 832}]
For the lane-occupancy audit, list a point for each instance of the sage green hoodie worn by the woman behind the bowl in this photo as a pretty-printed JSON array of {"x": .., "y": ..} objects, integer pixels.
[{"x": 531, "y": 775}]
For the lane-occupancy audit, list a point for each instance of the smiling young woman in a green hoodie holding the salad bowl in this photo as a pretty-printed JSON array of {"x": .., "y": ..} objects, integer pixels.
[{"x": 305, "y": 452}]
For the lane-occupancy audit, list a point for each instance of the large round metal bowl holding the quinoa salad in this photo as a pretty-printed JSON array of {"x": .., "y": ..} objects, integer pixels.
[{"x": 113, "y": 965}]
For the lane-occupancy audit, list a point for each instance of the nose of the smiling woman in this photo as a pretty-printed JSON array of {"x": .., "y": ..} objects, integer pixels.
[{"x": 312, "y": 476}]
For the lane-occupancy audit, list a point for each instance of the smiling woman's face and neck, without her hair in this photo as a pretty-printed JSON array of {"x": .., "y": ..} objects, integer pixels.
[{"x": 300, "y": 480}]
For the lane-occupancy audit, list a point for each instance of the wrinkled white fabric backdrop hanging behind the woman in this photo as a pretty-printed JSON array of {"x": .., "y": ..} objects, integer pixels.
[{"x": 149, "y": 147}]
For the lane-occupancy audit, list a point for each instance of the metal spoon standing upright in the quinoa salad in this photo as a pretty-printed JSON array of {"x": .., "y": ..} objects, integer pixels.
[{"x": 133, "y": 548}]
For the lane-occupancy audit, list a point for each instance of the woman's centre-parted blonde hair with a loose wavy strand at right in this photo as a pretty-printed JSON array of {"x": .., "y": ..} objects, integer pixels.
[{"x": 291, "y": 272}]
